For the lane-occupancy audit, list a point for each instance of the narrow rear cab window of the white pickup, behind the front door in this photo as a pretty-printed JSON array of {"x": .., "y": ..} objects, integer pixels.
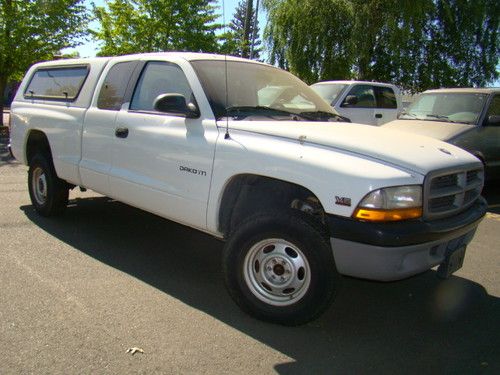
[{"x": 114, "y": 86}]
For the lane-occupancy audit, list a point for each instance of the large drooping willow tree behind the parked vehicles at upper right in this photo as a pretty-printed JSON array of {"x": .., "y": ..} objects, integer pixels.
[{"x": 417, "y": 44}]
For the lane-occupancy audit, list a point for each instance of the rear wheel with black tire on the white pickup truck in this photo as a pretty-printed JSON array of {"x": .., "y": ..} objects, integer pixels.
[{"x": 48, "y": 193}]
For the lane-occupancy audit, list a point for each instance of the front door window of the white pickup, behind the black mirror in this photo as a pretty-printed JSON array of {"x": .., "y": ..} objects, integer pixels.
[{"x": 159, "y": 78}]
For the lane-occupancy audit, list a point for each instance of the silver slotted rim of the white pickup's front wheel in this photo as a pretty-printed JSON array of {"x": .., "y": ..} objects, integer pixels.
[{"x": 277, "y": 272}]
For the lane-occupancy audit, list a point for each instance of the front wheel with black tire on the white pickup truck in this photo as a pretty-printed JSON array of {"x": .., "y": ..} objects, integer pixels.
[{"x": 253, "y": 254}]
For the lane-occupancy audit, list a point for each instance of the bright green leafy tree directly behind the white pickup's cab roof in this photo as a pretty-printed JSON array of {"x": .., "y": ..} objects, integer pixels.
[{"x": 134, "y": 26}]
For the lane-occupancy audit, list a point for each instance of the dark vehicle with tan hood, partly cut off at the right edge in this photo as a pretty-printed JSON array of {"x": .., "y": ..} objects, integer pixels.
[{"x": 466, "y": 117}]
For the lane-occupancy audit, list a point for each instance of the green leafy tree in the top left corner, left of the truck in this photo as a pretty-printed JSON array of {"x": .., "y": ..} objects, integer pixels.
[{"x": 35, "y": 30}]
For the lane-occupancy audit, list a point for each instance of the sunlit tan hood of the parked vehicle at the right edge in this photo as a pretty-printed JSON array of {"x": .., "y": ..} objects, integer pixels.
[{"x": 436, "y": 129}]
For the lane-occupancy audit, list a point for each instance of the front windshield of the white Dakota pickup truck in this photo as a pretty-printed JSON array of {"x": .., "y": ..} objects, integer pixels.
[{"x": 256, "y": 89}]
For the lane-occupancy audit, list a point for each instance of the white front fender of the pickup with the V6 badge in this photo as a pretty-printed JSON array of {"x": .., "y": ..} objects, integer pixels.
[{"x": 326, "y": 172}]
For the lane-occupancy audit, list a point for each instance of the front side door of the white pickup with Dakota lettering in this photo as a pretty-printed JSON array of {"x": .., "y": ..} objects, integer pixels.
[{"x": 162, "y": 163}]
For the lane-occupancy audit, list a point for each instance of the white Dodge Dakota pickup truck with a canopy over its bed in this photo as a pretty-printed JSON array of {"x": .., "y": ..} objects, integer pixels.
[{"x": 250, "y": 154}]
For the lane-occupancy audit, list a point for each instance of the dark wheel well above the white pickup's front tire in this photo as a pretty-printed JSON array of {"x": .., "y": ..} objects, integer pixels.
[{"x": 246, "y": 195}]
